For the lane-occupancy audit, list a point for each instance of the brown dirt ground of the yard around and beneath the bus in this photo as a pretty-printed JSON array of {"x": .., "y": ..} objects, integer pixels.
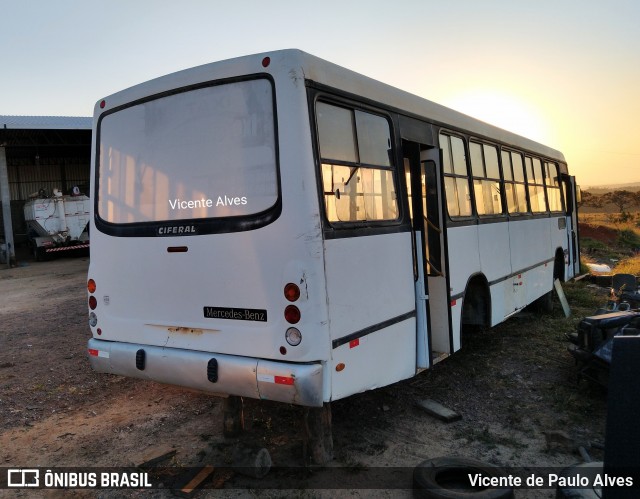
[{"x": 514, "y": 386}]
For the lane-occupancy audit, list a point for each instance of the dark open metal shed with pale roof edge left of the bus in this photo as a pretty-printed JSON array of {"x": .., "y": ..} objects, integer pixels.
[{"x": 38, "y": 153}]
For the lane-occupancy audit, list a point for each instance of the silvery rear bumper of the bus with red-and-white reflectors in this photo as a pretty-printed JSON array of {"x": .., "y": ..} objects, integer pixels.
[{"x": 221, "y": 374}]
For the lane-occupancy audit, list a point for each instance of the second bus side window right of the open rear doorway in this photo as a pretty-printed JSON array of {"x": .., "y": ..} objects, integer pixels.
[{"x": 486, "y": 178}]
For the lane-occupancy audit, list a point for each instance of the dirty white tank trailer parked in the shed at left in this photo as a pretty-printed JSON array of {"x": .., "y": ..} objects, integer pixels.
[{"x": 57, "y": 224}]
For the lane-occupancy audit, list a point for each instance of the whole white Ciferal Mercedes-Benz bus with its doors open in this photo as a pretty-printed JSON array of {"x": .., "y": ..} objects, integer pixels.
[{"x": 278, "y": 227}]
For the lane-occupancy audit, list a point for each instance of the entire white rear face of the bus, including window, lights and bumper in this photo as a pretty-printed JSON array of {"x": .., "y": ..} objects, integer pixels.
[{"x": 205, "y": 270}]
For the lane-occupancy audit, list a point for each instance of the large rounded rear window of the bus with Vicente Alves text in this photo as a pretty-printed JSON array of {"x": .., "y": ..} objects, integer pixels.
[{"x": 198, "y": 154}]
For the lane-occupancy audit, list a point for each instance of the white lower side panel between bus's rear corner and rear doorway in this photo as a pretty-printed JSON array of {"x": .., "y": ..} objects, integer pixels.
[{"x": 370, "y": 282}]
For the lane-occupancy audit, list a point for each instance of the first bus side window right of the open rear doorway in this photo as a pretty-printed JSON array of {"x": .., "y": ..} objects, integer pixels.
[{"x": 456, "y": 180}]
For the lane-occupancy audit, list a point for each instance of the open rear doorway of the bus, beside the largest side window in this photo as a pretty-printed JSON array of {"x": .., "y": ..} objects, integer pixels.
[{"x": 433, "y": 317}]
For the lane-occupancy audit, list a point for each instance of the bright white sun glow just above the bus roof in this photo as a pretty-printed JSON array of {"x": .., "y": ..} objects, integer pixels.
[{"x": 502, "y": 110}]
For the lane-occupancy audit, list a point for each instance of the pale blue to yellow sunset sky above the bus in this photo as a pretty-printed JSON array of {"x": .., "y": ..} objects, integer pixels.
[{"x": 563, "y": 72}]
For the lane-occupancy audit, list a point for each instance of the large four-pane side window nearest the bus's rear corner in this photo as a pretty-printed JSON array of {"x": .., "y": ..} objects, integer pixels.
[{"x": 356, "y": 165}]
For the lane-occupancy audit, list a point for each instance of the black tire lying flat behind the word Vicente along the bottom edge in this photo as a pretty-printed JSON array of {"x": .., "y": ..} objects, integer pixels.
[{"x": 448, "y": 478}]
